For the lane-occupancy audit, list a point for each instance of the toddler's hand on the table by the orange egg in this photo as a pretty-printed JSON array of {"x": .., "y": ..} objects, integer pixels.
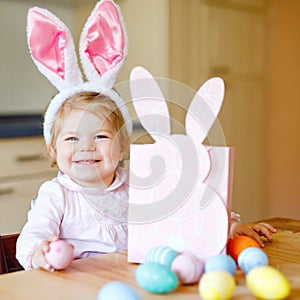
[{"x": 253, "y": 230}]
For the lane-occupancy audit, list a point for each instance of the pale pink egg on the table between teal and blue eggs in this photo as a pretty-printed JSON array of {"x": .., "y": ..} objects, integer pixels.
[{"x": 187, "y": 267}]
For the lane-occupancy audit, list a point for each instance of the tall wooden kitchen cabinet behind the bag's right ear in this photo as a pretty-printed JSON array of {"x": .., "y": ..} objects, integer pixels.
[{"x": 228, "y": 38}]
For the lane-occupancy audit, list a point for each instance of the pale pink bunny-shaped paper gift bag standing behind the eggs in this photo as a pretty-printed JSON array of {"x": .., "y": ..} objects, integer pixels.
[{"x": 179, "y": 189}]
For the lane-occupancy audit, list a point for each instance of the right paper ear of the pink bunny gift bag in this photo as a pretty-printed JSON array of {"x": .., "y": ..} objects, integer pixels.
[{"x": 204, "y": 108}]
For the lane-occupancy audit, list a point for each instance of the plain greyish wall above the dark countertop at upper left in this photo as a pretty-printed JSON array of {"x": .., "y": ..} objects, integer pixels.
[{"x": 23, "y": 88}]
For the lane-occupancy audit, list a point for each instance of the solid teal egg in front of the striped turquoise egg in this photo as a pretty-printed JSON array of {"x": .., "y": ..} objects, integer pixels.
[{"x": 156, "y": 278}]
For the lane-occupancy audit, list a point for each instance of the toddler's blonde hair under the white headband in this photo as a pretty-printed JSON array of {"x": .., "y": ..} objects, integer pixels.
[{"x": 99, "y": 105}]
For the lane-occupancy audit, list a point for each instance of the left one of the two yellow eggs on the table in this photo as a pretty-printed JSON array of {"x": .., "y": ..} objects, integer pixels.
[{"x": 216, "y": 285}]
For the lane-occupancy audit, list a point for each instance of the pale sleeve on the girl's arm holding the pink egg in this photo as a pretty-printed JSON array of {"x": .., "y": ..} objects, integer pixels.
[{"x": 44, "y": 220}]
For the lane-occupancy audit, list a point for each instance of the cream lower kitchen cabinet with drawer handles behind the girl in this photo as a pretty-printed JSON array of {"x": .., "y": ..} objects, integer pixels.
[{"x": 23, "y": 168}]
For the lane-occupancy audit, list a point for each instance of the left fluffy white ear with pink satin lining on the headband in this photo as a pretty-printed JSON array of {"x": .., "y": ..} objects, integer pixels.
[{"x": 52, "y": 48}]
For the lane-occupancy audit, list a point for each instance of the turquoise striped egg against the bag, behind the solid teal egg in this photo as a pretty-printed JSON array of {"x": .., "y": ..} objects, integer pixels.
[{"x": 163, "y": 255}]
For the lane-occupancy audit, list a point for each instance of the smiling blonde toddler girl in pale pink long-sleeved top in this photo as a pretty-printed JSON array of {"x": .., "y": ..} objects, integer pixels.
[{"x": 87, "y": 203}]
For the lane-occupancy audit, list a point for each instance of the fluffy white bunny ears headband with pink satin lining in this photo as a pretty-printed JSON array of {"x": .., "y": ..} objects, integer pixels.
[{"x": 103, "y": 49}]
